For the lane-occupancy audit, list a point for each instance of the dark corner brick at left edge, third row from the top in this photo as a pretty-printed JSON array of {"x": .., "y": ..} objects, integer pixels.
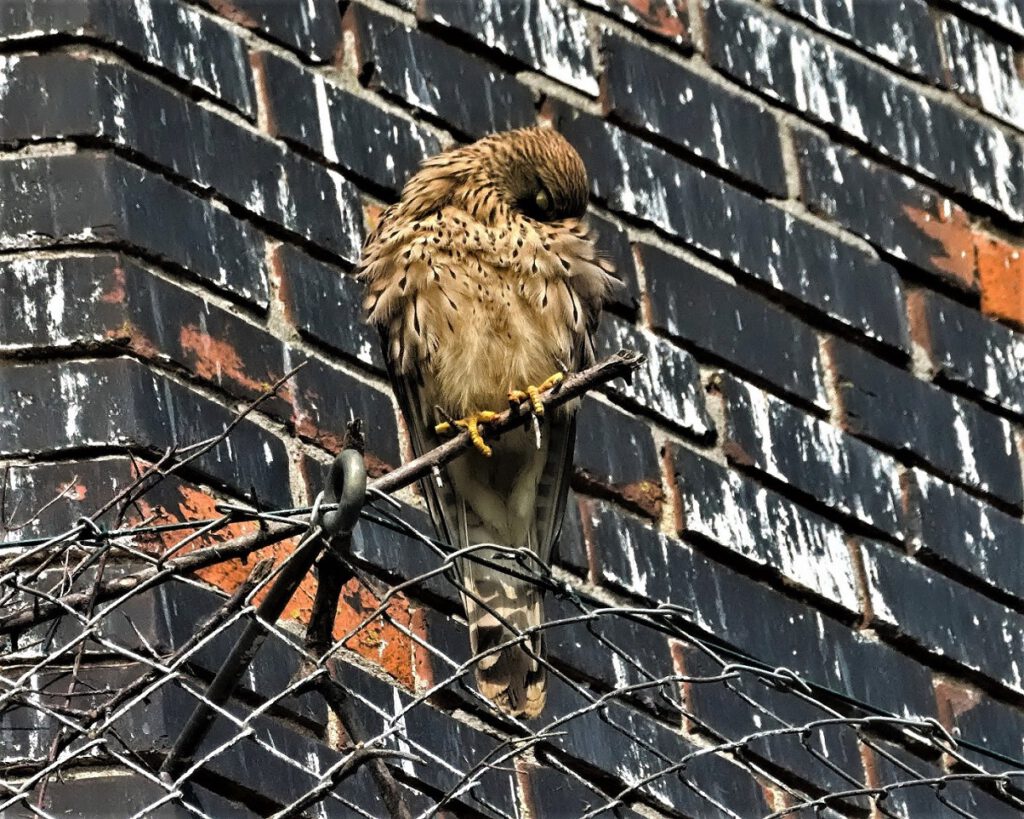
[{"x": 92, "y": 198}]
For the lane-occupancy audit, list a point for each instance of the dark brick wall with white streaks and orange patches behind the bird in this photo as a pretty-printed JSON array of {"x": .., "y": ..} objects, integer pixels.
[{"x": 817, "y": 209}]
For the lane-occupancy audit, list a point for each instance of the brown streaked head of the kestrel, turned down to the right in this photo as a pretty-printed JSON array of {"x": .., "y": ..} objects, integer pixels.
[{"x": 533, "y": 173}]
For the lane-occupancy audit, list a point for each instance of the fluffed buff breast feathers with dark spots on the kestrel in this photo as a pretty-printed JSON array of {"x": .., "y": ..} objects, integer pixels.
[{"x": 484, "y": 310}]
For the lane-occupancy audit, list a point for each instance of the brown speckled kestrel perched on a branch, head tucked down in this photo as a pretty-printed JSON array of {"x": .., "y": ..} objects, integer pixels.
[{"x": 485, "y": 284}]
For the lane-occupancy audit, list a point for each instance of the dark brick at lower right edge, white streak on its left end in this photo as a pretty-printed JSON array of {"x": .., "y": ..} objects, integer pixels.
[{"x": 945, "y": 618}]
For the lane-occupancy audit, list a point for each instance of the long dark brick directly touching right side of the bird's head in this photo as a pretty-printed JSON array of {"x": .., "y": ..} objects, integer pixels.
[{"x": 762, "y": 241}]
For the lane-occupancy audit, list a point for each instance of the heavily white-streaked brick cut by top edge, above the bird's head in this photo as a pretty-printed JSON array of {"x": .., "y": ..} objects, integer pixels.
[{"x": 526, "y": 33}]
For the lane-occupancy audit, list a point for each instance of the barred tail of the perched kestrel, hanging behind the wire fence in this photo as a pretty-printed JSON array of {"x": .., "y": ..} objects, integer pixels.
[{"x": 505, "y": 607}]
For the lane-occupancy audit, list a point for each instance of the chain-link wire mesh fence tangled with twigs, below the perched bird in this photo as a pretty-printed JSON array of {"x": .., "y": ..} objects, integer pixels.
[{"x": 112, "y": 640}]
